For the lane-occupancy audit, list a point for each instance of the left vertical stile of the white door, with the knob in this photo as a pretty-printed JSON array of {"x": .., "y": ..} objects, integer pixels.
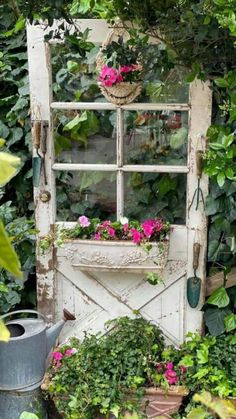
[{"x": 39, "y": 61}]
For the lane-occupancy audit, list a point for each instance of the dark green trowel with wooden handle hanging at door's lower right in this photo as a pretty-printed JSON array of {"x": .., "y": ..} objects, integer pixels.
[{"x": 194, "y": 282}]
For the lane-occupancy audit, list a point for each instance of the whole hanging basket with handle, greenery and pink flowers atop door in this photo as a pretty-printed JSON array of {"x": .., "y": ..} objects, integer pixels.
[{"x": 120, "y": 66}]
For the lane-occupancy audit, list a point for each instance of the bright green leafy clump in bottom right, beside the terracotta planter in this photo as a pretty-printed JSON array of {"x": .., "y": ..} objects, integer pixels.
[{"x": 210, "y": 363}]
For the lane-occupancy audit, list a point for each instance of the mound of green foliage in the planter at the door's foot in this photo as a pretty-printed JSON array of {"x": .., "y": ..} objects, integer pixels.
[{"x": 99, "y": 377}]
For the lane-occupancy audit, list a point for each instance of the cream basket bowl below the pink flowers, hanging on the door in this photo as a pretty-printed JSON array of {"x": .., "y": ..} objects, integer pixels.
[{"x": 122, "y": 93}]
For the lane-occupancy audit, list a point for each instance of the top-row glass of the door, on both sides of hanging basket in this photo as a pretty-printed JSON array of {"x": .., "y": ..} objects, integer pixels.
[{"x": 75, "y": 76}]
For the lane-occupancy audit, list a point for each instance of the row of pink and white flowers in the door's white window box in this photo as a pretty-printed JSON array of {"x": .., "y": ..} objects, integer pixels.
[{"x": 148, "y": 230}]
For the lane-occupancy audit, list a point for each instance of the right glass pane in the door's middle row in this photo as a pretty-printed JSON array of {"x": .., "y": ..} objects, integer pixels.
[{"x": 158, "y": 137}]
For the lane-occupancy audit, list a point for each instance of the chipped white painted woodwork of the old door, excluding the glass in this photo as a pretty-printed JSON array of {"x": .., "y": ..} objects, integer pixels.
[{"x": 97, "y": 296}]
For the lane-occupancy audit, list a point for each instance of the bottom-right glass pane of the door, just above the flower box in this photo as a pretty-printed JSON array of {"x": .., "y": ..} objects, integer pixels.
[{"x": 148, "y": 195}]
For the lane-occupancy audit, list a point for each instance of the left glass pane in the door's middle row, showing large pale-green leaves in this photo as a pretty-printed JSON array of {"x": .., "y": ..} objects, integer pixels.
[{"x": 85, "y": 136}]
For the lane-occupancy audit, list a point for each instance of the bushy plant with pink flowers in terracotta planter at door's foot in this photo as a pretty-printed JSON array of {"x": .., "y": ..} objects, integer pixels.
[{"x": 122, "y": 374}]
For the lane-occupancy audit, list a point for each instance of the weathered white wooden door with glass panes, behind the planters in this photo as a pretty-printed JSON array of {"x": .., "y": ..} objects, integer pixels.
[{"x": 98, "y": 296}]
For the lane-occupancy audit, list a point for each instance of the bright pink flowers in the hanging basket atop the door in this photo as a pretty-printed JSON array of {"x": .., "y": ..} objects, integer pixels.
[{"x": 110, "y": 76}]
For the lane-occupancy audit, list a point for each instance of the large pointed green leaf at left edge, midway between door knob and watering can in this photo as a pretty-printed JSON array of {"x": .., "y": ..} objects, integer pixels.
[{"x": 8, "y": 257}]
